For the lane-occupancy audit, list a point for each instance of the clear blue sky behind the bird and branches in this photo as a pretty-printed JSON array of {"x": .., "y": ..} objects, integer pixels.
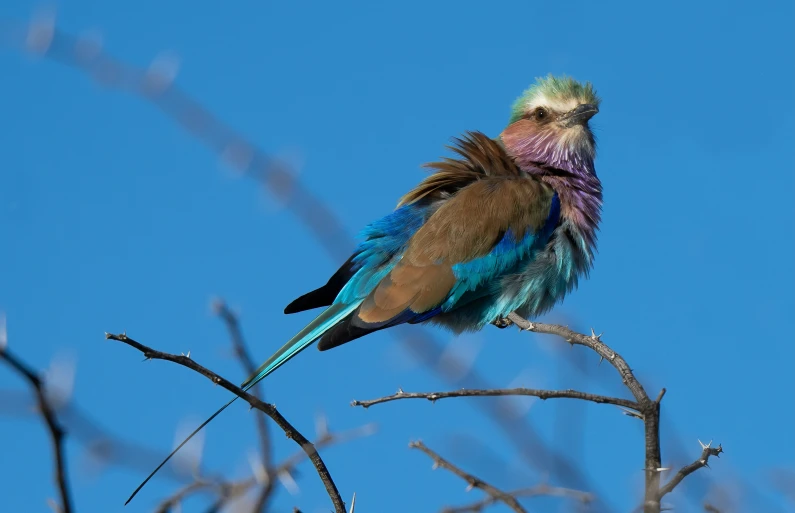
[{"x": 114, "y": 218}]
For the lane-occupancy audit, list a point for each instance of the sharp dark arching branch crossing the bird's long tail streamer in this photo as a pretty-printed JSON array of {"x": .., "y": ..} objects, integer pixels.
[{"x": 267, "y": 409}]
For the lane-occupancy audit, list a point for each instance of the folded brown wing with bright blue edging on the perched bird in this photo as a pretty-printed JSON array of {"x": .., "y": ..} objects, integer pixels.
[{"x": 475, "y": 236}]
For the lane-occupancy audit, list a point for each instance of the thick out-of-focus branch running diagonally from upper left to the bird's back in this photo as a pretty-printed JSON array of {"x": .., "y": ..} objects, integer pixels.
[{"x": 156, "y": 84}]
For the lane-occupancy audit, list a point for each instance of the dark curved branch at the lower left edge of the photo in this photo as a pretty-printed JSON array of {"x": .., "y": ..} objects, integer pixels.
[{"x": 53, "y": 426}]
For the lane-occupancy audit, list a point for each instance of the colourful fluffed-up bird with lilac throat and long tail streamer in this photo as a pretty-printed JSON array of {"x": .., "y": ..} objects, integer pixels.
[{"x": 508, "y": 224}]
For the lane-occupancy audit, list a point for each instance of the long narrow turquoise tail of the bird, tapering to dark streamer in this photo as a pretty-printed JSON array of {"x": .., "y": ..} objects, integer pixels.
[{"x": 314, "y": 330}]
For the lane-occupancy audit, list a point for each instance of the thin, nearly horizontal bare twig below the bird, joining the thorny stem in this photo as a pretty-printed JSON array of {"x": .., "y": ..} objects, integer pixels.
[{"x": 541, "y": 394}]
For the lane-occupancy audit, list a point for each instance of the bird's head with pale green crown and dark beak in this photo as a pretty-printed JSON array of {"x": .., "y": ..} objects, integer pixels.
[{"x": 549, "y": 124}]
